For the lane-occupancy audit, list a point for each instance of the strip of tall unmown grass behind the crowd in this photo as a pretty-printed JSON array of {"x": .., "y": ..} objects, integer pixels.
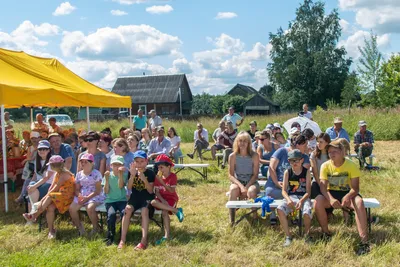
[{"x": 384, "y": 123}]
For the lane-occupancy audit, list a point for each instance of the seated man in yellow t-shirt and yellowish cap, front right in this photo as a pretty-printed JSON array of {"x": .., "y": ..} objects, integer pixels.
[{"x": 340, "y": 186}]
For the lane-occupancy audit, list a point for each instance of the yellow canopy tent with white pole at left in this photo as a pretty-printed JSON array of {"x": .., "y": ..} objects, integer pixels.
[{"x": 30, "y": 81}]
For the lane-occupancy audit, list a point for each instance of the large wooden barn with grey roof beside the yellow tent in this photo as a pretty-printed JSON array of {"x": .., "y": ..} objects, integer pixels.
[{"x": 159, "y": 92}]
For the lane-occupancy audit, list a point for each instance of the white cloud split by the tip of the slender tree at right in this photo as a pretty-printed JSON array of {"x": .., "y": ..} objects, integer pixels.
[{"x": 357, "y": 40}]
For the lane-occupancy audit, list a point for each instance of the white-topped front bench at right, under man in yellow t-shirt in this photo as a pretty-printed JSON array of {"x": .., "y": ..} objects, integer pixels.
[{"x": 369, "y": 203}]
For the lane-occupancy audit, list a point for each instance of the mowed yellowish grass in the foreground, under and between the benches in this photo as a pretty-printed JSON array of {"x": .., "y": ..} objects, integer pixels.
[{"x": 205, "y": 238}]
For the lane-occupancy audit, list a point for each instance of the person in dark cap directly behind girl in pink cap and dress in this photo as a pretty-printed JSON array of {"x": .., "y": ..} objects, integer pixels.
[{"x": 93, "y": 139}]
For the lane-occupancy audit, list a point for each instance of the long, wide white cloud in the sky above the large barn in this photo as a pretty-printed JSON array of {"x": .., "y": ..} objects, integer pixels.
[{"x": 130, "y": 42}]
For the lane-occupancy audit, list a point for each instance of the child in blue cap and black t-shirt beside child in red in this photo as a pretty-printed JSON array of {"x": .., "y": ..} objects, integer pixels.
[{"x": 141, "y": 183}]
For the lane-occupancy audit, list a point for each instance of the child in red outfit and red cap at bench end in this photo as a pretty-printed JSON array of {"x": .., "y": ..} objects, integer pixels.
[{"x": 166, "y": 196}]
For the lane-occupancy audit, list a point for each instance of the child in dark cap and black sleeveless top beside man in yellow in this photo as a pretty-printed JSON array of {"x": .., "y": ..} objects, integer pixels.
[{"x": 296, "y": 191}]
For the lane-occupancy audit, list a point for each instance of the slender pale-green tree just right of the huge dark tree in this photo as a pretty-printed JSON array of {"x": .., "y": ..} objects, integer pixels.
[{"x": 369, "y": 66}]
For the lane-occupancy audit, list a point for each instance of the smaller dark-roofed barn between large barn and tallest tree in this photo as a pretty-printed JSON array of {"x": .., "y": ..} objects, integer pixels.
[{"x": 256, "y": 105}]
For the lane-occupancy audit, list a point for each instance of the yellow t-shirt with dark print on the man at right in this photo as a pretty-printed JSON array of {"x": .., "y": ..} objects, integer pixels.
[{"x": 339, "y": 177}]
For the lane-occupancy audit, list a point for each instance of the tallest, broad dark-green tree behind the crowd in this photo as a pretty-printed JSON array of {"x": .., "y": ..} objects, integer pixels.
[{"x": 307, "y": 66}]
